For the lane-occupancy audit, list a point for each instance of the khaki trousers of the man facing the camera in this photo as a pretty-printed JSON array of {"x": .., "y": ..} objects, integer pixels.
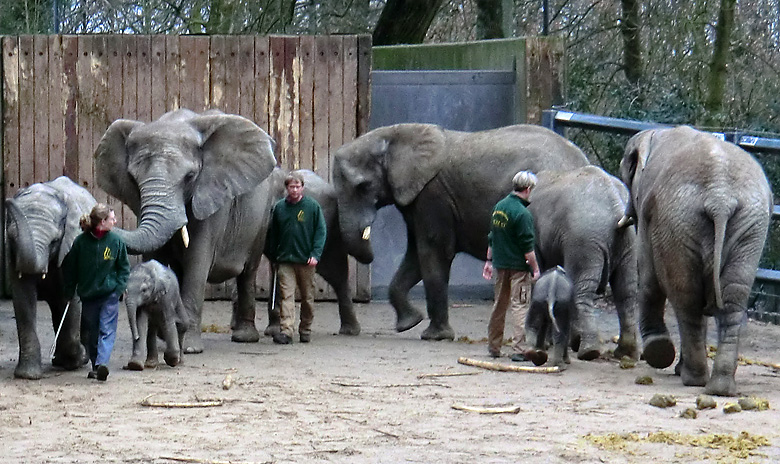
[{"x": 292, "y": 275}]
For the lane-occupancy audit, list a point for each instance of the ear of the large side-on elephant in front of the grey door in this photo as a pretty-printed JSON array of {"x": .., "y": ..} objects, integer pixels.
[{"x": 415, "y": 153}]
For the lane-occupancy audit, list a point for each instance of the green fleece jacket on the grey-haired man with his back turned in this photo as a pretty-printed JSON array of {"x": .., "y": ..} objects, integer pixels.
[{"x": 511, "y": 233}]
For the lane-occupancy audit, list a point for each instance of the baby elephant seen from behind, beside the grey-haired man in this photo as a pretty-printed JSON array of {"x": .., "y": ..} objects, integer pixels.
[{"x": 551, "y": 312}]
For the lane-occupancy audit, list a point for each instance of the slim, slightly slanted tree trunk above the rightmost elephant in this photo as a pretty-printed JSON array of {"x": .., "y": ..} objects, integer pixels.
[{"x": 720, "y": 58}]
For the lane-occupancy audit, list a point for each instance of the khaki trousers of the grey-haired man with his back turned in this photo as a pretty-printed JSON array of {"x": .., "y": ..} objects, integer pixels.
[{"x": 512, "y": 291}]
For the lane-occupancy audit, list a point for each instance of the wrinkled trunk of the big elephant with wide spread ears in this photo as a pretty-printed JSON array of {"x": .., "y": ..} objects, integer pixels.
[{"x": 162, "y": 214}]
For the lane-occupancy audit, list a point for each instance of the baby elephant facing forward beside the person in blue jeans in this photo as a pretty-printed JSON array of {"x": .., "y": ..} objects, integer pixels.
[{"x": 154, "y": 308}]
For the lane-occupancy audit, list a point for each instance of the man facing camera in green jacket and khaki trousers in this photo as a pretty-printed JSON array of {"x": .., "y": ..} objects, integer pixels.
[{"x": 296, "y": 242}]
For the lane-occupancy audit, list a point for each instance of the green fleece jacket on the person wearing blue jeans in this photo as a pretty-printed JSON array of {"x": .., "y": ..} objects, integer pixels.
[{"x": 96, "y": 267}]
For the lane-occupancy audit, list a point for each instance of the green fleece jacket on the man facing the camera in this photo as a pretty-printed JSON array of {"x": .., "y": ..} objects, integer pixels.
[{"x": 298, "y": 231}]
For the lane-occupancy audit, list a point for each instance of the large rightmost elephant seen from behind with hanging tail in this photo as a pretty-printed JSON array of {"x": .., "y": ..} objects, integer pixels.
[{"x": 702, "y": 208}]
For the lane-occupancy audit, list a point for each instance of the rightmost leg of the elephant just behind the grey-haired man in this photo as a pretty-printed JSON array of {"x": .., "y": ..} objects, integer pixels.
[{"x": 623, "y": 283}]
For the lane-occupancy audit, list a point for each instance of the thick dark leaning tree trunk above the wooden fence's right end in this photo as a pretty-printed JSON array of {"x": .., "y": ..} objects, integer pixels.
[{"x": 405, "y": 21}]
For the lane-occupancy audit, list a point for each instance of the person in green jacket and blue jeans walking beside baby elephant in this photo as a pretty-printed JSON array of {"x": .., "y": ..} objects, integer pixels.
[{"x": 97, "y": 268}]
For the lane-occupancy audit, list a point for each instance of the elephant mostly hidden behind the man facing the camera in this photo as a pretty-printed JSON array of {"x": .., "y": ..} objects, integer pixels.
[{"x": 333, "y": 265}]
